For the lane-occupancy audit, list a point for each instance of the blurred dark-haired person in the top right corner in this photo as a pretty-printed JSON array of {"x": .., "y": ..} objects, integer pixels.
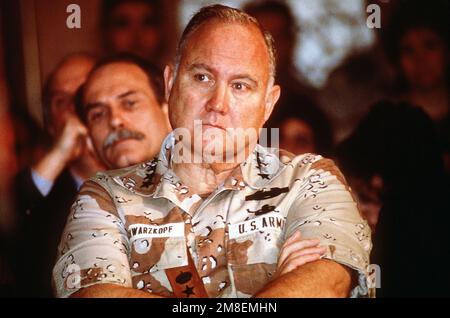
[{"x": 417, "y": 42}]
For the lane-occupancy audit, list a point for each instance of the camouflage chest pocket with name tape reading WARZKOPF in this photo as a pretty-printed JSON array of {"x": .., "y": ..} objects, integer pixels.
[{"x": 158, "y": 249}]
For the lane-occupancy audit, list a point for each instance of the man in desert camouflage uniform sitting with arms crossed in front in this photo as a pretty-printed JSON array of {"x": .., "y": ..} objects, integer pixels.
[{"x": 189, "y": 228}]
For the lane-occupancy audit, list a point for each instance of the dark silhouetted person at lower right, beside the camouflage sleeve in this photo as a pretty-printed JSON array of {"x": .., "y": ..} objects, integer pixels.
[{"x": 392, "y": 162}]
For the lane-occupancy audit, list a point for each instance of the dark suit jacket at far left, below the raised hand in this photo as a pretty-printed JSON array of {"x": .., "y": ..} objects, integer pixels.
[{"x": 41, "y": 221}]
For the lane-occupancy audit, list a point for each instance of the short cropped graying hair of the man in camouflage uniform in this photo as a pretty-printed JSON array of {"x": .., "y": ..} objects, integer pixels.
[{"x": 230, "y": 15}]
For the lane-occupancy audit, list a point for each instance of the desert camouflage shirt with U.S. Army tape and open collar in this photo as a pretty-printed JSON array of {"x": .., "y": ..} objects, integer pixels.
[{"x": 129, "y": 226}]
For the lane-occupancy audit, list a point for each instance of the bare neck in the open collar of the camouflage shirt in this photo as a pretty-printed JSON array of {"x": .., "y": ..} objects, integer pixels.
[{"x": 203, "y": 179}]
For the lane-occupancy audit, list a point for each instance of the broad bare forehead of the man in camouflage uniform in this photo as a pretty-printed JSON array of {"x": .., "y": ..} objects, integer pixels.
[{"x": 234, "y": 46}]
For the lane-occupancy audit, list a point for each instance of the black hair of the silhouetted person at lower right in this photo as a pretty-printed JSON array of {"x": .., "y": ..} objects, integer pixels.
[{"x": 396, "y": 141}]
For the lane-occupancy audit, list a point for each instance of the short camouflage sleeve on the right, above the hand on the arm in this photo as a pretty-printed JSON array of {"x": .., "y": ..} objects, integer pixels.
[{"x": 324, "y": 208}]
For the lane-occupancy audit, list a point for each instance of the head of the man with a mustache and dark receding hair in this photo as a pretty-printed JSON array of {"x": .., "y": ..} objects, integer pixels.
[{"x": 122, "y": 104}]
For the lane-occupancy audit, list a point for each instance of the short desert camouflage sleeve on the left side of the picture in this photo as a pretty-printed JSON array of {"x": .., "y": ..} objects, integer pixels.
[{"x": 94, "y": 245}]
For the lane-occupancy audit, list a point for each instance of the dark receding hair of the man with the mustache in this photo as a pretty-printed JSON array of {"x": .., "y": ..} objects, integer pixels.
[{"x": 154, "y": 75}]
